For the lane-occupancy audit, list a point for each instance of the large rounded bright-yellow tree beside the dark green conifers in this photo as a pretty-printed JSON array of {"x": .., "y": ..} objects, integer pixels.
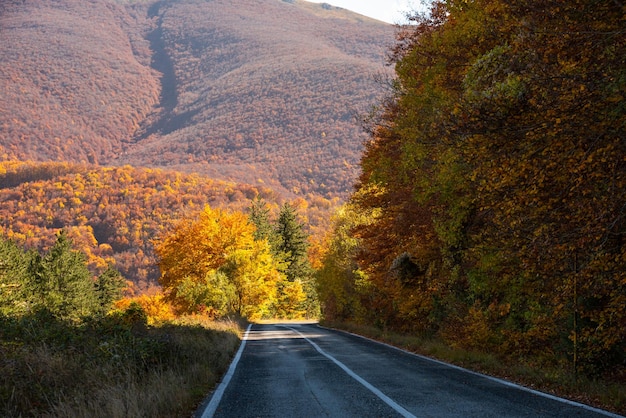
[{"x": 214, "y": 261}]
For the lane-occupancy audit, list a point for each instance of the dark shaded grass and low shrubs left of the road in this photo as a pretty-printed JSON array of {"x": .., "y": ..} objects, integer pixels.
[{"x": 111, "y": 368}]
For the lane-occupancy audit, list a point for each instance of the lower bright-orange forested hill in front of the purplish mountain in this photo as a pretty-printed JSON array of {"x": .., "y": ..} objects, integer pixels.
[{"x": 115, "y": 214}]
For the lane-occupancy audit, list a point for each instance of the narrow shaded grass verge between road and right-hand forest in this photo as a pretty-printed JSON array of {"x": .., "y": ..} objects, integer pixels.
[{"x": 608, "y": 395}]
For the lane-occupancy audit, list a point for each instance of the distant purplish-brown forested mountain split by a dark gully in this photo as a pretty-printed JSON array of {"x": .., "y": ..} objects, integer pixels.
[{"x": 256, "y": 91}]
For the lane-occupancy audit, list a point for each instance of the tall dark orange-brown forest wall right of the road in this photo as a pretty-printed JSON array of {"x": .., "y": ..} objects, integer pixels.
[{"x": 490, "y": 209}]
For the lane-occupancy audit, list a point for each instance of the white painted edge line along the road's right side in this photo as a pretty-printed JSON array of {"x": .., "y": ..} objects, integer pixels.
[{"x": 486, "y": 376}]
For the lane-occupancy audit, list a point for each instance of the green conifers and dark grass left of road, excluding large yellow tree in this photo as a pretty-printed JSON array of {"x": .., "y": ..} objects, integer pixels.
[{"x": 66, "y": 351}]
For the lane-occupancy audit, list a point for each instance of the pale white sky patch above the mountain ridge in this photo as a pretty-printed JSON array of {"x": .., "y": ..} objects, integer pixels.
[{"x": 390, "y": 11}]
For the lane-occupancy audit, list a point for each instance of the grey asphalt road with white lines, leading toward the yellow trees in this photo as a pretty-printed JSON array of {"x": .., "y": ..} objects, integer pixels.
[{"x": 304, "y": 370}]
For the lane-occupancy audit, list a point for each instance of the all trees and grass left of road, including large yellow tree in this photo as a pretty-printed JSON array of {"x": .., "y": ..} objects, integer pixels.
[{"x": 77, "y": 345}]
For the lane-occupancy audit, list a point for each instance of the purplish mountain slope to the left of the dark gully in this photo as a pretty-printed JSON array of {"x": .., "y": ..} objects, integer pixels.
[{"x": 73, "y": 85}]
